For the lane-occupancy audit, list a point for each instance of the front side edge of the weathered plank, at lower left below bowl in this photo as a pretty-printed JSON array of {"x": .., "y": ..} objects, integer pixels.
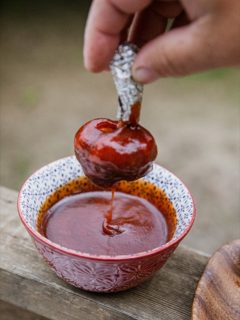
[{"x": 52, "y": 301}]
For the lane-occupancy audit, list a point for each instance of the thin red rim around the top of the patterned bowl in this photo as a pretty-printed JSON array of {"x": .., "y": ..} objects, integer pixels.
[{"x": 103, "y": 258}]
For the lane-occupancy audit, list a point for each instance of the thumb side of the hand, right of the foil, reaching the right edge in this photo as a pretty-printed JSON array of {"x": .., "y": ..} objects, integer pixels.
[{"x": 212, "y": 40}]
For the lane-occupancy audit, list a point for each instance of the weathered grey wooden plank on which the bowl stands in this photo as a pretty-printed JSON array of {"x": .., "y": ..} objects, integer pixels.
[{"x": 27, "y": 282}]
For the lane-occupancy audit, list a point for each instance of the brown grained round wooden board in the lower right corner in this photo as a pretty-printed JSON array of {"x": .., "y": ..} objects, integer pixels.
[{"x": 218, "y": 291}]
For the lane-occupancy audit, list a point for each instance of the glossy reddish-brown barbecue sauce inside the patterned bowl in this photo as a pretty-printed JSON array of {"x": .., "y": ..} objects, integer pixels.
[{"x": 82, "y": 217}]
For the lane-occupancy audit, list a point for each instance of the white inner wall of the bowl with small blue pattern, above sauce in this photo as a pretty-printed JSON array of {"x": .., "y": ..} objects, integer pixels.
[{"x": 54, "y": 175}]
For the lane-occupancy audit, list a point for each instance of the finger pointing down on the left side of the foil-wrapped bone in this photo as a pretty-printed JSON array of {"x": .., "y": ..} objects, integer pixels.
[{"x": 107, "y": 19}]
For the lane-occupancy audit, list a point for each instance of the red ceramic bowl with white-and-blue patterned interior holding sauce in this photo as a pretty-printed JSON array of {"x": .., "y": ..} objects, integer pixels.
[{"x": 93, "y": 272}]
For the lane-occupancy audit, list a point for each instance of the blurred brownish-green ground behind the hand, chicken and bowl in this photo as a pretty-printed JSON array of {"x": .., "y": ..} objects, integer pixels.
[{"x": 46, "y": 95}]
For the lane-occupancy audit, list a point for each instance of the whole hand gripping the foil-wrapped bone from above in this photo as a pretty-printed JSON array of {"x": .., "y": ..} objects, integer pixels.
[{"x": 205, "y": 34}]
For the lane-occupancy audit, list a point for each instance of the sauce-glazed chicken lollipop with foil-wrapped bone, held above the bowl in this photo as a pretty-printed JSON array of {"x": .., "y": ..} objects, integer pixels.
[{"x": 108, "y": 150}]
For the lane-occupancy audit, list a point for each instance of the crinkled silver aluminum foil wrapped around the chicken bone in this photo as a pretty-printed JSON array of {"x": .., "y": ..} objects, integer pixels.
[{"x": 129, "y": 92}]
